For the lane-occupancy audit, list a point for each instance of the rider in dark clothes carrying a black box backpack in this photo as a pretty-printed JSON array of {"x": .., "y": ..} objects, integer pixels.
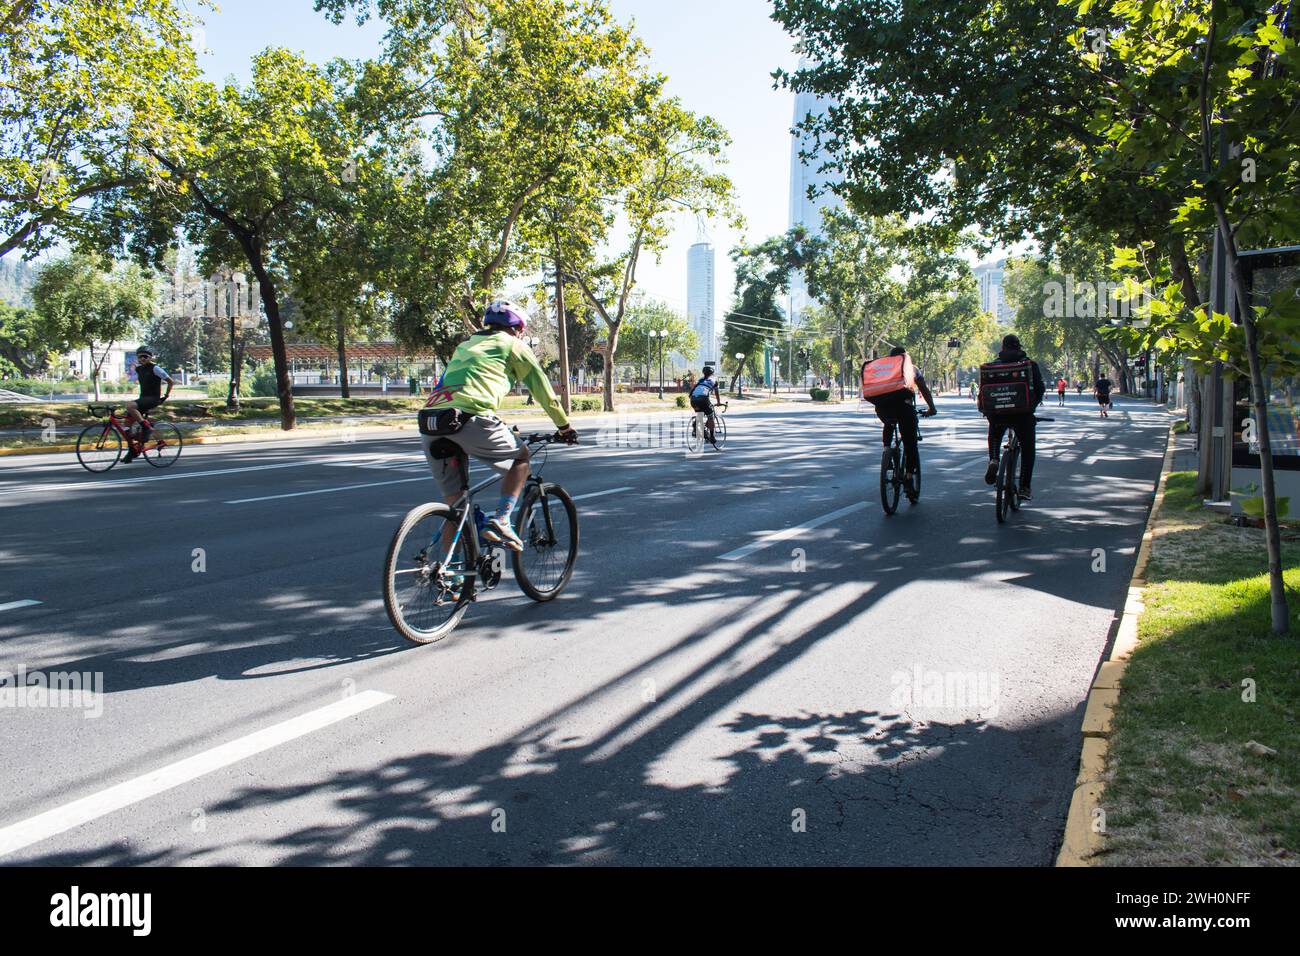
[{"x": 1011, "y": 390}]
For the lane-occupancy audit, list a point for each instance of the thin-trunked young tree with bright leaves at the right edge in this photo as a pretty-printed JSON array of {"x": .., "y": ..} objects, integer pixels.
[{"x": 1186, "y": 81}]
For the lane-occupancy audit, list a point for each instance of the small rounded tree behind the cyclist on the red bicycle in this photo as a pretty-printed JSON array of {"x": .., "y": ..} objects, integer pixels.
[{"x": 83, "y": 306}]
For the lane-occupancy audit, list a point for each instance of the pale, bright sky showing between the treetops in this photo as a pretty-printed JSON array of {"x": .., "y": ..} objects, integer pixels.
[{"x": 717, "y": 54}]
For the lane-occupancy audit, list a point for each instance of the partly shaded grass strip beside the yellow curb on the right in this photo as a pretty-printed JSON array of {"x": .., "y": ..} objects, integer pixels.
[{"x": 1184, "y": 789}]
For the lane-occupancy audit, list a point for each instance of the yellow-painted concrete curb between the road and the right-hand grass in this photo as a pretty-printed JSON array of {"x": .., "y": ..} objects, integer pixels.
[{"x": 1082, "y": 840}]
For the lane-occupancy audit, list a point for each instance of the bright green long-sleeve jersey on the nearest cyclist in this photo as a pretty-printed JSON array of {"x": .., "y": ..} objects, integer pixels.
[{"x": 484, "y": 370}]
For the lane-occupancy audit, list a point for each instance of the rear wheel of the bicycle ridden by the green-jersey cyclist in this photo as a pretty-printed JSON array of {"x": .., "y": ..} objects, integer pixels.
[{"x": 426, "y": 592}]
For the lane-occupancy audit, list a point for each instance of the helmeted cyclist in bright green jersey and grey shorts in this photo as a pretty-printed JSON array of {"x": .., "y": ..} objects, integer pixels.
[{"x": 482, "y": 373}]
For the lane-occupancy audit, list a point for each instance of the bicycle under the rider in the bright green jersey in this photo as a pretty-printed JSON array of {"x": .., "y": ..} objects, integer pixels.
[{"x": 439, "y": 564}]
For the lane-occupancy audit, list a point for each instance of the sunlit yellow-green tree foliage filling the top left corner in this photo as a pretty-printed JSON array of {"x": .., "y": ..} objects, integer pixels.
[{"x": 85, "y": 83}]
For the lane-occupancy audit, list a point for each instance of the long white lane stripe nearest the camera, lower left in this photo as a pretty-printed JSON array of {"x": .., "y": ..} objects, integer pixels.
[{"x": 80, "y": 812}]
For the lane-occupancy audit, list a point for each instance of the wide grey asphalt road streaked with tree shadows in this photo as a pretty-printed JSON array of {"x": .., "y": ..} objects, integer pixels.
[{"x": 752, "y": 665}]
